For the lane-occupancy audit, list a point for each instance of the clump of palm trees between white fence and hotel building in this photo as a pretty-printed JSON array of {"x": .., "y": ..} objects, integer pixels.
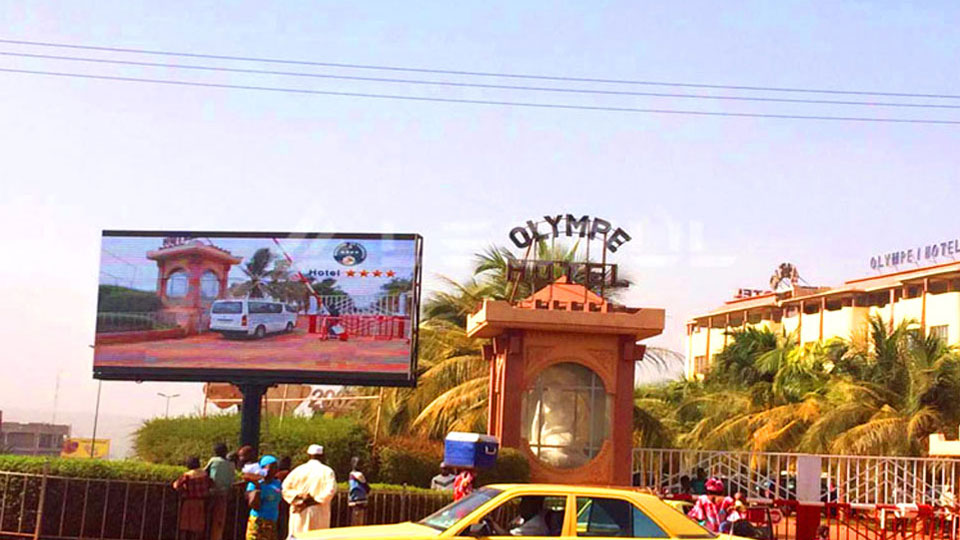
[{"x": 882, "y": 393}]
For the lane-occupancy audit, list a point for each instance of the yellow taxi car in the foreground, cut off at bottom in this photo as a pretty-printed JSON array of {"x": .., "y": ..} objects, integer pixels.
[{"x": 539, "y": 511}]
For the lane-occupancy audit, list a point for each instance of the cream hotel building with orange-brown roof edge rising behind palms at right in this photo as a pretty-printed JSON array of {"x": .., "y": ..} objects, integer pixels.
[{"x": 928, "y": 297}]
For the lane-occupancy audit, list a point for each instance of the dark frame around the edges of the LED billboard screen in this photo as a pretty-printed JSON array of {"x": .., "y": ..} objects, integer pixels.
[{"x": 262, "y": 377}]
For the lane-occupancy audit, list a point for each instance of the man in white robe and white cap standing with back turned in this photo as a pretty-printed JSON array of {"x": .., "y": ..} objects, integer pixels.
[{"x": 309, "y": 490}]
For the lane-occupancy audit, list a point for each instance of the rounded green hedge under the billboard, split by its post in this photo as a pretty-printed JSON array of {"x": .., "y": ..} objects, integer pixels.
[{"x": 172, "y": 440}]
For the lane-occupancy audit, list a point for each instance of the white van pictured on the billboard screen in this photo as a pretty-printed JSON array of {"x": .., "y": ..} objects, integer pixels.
[{"x": 251, "y": 317}]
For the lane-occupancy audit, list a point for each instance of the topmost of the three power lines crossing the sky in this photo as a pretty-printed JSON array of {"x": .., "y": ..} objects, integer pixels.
[{"x": 479, "y": 73}]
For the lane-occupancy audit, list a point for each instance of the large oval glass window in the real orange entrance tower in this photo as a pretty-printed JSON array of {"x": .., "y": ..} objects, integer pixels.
[{"x": 566, "y": 415}]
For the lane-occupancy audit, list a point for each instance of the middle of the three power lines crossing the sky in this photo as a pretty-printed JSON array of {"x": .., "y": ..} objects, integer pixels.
[{"x": 477, "y": 85}]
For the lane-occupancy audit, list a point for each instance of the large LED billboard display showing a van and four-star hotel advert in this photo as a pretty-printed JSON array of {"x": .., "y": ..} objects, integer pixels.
[{"x": 258, "y": 307}]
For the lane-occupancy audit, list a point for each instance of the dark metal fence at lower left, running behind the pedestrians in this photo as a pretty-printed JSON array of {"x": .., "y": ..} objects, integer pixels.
[{"x": 59, "y": 508}]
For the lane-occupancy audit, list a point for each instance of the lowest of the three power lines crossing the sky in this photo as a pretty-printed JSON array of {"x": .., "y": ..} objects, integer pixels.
[{"x": 481, "y": 101}]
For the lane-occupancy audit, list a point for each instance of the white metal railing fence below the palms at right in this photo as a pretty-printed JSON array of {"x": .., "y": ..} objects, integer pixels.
[{"x": 858, "y": 480}]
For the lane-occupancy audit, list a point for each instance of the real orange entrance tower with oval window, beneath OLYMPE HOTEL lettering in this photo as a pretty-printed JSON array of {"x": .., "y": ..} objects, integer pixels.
[{"x": 562, "y": 378}]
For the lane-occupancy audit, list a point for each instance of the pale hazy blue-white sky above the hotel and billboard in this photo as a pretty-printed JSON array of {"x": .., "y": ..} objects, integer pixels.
[{"x": 713, "y": 204}]
